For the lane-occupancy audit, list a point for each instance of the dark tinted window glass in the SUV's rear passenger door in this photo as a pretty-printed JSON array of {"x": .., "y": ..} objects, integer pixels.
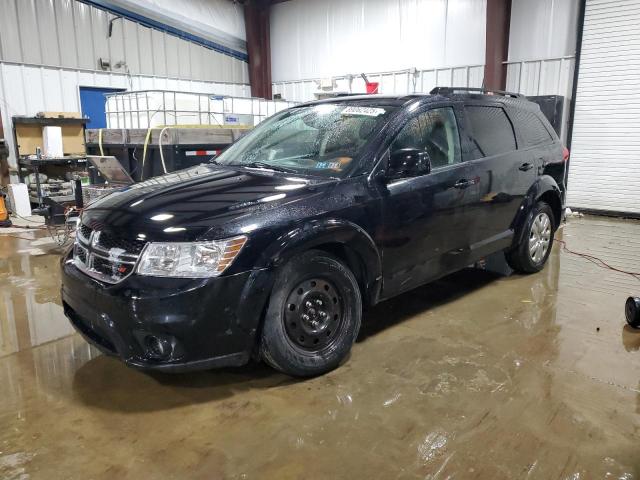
[{"x": 492, "y": 131}]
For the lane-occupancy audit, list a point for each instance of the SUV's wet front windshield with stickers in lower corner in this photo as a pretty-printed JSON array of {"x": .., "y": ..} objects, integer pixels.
[{"x": 325, "y": 139}]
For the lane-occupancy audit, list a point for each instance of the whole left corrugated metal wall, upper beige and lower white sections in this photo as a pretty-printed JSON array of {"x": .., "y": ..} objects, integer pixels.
[{"x": 49, "y": 48}]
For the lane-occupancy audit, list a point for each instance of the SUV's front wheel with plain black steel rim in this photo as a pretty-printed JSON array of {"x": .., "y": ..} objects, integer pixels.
[{"x": 313, "y": 317}]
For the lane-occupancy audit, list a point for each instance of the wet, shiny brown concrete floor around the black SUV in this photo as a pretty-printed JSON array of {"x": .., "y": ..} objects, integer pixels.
[{"x": 475, "y": 376}]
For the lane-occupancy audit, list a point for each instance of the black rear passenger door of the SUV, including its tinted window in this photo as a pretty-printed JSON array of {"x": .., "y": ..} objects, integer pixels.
[{"x": 504, "y": 174}]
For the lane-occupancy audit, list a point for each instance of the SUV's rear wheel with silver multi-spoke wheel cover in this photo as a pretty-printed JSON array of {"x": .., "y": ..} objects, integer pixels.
[{"x": 530, "y": 255}]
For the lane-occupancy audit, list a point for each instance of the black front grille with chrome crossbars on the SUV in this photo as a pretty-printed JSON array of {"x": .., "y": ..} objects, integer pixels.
[{"x": 105, "y": 256}]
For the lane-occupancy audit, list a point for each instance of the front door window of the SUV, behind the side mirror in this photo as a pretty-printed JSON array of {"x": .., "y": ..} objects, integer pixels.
[{"x": 435, "y": 131}]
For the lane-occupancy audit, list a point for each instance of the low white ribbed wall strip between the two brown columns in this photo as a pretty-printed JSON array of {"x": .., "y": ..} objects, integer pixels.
[{"x": 402, "y": 82}]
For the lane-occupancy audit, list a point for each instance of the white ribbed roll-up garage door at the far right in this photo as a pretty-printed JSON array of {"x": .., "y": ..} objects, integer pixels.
[{"x": 605, "y": 152}]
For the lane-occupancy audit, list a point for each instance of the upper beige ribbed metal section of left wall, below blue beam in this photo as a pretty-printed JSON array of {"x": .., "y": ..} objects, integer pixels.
[{"x": 71, "y": 34}]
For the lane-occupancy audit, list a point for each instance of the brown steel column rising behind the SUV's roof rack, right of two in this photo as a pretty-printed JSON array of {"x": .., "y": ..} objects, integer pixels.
[{"x": 497, "y": 43}]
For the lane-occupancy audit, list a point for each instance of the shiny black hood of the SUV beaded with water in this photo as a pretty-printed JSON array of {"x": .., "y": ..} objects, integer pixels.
[{"x": 196, "y": 203}]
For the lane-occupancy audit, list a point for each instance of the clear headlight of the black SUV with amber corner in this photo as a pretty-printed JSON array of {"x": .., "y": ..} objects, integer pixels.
[{"x": 189, "y": 259}]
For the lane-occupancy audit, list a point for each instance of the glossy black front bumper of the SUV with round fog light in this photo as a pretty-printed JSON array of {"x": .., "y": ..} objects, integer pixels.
[{"x": 200, "y": 323}]
